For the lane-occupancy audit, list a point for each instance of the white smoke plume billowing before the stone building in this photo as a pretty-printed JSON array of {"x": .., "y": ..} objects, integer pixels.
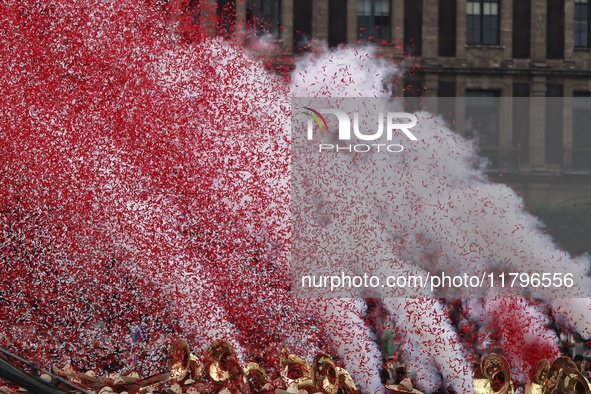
[{"x": 438, "y": 211}]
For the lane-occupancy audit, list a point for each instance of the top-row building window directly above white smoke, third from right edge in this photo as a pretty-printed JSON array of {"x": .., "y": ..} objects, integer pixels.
[{"x": 374, "y": 20}]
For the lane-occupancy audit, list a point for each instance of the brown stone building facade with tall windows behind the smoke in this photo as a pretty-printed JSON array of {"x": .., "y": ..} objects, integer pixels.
[{"x": 469, "y": 56}]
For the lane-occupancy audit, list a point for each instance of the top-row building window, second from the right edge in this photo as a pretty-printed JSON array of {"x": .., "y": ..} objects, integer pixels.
[{"x": 482, "y": 22}]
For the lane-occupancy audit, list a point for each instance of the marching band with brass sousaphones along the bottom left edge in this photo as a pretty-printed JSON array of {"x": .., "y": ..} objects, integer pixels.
[{"x": 218, "y": 370}]
